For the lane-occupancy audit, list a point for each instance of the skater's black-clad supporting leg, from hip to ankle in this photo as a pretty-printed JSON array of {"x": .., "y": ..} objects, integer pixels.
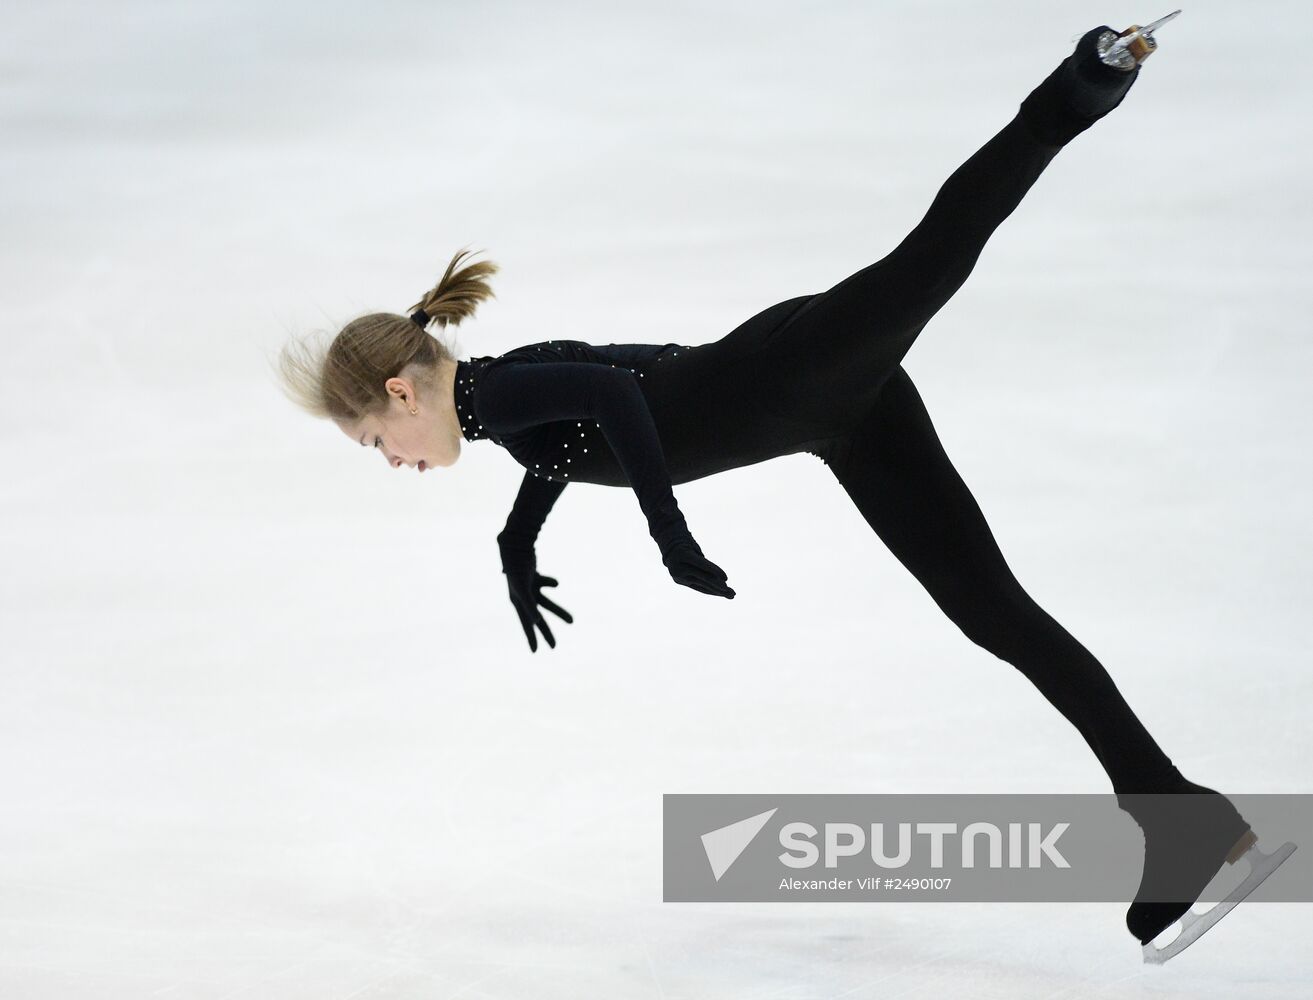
[{"x": 907, "y": 489}]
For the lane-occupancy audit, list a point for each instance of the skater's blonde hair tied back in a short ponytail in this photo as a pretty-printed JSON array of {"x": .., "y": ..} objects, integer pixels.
[{"x": 346, "y": 380}]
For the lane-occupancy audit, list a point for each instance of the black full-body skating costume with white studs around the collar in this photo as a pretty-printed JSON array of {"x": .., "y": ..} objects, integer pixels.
[{"x": 823, "y": 375}]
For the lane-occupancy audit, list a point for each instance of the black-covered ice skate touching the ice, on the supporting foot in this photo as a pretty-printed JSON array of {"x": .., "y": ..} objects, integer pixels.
[{"x": 1190, "y": 838}]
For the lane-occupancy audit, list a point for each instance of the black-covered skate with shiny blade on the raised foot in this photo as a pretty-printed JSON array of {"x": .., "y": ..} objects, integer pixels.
[{"x": 1089, "y": 83}]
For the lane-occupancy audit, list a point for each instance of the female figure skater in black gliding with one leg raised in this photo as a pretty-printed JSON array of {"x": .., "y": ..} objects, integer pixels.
[{"x": 816, "y": 373}]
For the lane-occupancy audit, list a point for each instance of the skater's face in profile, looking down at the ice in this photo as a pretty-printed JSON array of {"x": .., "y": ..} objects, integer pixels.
[{"x": 413, "y": 440}]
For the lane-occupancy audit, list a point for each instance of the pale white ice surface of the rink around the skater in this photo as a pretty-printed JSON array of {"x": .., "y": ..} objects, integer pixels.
[{"x": 270, "y": 729}]
